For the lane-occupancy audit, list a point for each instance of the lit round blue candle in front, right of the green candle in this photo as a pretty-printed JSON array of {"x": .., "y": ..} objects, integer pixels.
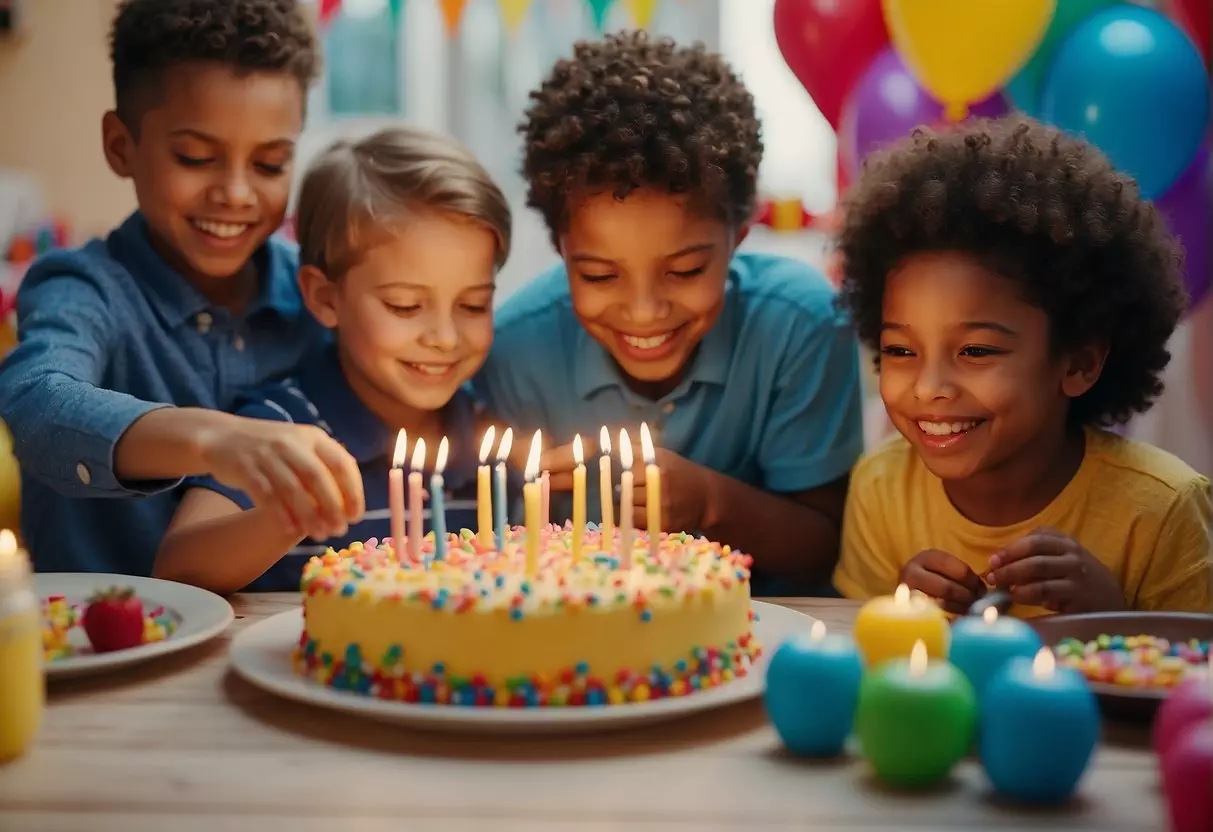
[{"x": 1039, "y": 728}]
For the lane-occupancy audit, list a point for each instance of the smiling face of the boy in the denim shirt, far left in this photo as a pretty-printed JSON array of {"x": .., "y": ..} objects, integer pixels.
[{"x": 212, "y": 166}]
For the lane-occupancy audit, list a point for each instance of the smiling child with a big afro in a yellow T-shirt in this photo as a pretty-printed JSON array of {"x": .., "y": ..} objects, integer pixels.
[{"x": 1021, "y": 295}]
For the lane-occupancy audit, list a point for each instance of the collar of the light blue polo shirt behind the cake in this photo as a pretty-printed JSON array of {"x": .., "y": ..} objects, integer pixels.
[{"x": 710, "y": 363}]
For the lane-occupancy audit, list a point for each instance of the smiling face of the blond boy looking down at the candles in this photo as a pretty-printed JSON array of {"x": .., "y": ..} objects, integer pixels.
[{"x": 414, "y": 316}]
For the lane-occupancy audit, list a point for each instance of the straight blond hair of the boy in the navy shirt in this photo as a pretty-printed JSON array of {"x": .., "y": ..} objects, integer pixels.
[{"x": 357, "y": 191}]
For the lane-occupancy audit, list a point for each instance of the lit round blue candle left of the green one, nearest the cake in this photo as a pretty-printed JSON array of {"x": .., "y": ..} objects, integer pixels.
[{"x": 812, "y": 691}]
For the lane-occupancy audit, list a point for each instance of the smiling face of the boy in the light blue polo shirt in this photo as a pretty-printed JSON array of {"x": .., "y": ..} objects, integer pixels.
[{"x": 647, "y": 278}]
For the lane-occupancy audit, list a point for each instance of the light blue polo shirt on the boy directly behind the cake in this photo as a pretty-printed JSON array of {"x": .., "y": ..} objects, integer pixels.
[{"x": 772, "y": 396}]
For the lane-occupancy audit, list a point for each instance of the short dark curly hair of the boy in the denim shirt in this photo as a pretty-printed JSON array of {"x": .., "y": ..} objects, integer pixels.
[{"x": 149, "y": 37}]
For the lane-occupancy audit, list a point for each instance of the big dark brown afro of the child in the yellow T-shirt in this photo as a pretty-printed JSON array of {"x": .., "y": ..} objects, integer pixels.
[{"x": 1040, "y": 208}]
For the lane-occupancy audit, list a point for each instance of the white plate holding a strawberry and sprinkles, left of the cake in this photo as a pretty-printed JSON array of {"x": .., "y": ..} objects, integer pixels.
[{"x": 201, "y": 616}]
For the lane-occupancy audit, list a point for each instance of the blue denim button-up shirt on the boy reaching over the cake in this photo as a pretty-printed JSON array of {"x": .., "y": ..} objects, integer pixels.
[{"x": 107, "y": 334}]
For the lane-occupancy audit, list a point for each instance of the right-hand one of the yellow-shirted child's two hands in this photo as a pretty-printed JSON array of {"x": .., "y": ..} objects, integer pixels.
[{"x": 1053, "y": 571}]
